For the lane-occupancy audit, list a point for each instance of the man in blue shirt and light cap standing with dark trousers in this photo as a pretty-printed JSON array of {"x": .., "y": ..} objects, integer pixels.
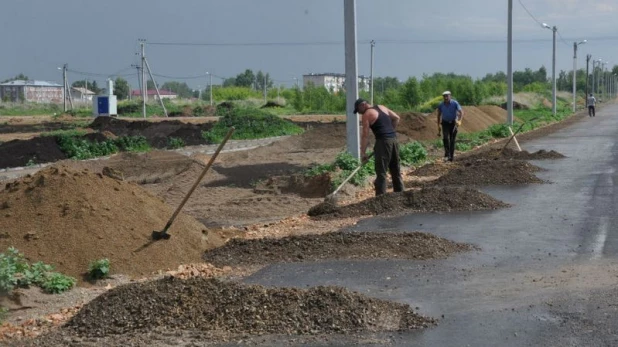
[{"x": 449, "y": 119}]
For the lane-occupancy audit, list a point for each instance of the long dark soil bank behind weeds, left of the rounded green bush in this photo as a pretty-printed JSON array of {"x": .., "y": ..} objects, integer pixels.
[{"x": 156, "y": 133}]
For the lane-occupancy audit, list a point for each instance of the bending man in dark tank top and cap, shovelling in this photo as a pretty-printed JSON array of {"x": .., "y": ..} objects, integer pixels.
[{"x": 383, "y": 122}]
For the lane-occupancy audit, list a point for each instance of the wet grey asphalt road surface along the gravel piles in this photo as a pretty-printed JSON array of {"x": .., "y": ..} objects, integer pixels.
[{"x": 545, "y": 274}]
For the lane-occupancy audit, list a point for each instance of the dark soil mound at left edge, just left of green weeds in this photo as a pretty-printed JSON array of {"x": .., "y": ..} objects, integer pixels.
[{"x": 38, "y": 150}]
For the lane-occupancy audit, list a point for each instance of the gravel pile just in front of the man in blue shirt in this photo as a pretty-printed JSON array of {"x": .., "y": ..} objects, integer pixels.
[{"x": 490, "y": 172}]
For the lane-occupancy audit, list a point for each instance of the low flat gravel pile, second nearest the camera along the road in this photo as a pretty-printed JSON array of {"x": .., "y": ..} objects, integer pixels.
[{"x": 337, "y": 245}]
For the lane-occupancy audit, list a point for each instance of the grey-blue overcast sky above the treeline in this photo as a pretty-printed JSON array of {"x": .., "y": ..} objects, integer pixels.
[{"x": 98, "y": 39}]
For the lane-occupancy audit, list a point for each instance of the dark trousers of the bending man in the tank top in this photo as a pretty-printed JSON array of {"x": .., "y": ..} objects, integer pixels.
[{"x": 386, "y": 153}]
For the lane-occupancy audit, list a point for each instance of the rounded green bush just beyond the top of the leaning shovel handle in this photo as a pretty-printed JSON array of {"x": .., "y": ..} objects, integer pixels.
[{"x": 250, "y": 124}]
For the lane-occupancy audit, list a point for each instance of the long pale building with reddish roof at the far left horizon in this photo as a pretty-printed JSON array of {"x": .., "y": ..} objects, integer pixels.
[{"x": 31, "y": 91}]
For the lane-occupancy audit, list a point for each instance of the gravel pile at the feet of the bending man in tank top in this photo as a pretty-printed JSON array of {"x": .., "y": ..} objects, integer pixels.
[{"x": 430, "y": 199}]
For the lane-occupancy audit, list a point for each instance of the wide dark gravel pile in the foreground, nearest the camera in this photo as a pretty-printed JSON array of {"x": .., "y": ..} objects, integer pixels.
[{"x": 237, "y": 309}]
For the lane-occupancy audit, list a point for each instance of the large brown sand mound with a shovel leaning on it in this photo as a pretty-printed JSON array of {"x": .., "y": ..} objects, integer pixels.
[{"x": 69, "y": 218}]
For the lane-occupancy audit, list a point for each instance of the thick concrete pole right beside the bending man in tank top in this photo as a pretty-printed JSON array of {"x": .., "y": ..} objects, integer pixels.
[{"x": 351, "y": 78}]
